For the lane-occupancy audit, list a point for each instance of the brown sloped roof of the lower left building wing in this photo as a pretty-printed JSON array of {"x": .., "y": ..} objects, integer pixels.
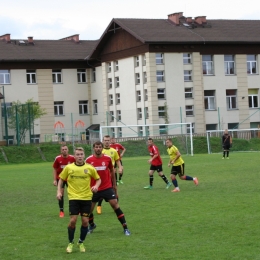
[{"x": 46, "y": 50}]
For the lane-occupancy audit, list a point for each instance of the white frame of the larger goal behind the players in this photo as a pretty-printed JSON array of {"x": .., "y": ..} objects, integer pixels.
[{"x": 172, "y": 124}]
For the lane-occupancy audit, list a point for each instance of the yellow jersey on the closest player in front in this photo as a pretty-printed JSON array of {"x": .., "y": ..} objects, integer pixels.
[{"x": 78, "y": 178}]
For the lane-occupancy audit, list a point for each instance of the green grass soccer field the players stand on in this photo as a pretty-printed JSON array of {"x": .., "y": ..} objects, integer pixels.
[{"x": 219, "y": 219}]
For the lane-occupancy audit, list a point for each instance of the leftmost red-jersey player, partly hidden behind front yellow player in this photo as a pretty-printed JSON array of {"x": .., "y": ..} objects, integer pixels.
[{"x": 59, "y": 163}]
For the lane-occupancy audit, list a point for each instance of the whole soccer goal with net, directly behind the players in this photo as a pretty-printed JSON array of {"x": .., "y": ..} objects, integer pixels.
[{"x": 180, "y": 133}]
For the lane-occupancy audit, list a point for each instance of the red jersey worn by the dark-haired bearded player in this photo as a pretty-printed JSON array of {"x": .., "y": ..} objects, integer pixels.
[{"x": 102, "y": 165}]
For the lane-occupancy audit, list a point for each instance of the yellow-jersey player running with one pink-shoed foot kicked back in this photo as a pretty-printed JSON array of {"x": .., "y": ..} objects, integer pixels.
[{"x": 177, "y": 166}]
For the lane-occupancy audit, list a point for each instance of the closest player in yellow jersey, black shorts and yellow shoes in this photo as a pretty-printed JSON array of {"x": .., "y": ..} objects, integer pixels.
[{"x": 78, "y": 176}]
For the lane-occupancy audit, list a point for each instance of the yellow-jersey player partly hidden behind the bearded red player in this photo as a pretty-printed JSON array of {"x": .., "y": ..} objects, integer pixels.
[{"x": 113, "y": 154}]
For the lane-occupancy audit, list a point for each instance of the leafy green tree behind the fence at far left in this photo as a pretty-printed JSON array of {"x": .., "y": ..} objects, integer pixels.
[{"x": 21, "y": 117}]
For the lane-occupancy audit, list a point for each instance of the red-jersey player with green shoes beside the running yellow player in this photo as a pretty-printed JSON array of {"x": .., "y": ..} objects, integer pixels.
[{"x": 156, "y": 165}]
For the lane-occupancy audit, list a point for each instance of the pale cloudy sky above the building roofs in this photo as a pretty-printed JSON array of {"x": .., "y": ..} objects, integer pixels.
[{"x": 56, "y": 19}]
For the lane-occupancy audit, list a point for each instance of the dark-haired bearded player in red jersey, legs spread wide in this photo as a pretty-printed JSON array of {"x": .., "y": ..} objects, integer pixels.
[{"x": 107, "y": 189}]
